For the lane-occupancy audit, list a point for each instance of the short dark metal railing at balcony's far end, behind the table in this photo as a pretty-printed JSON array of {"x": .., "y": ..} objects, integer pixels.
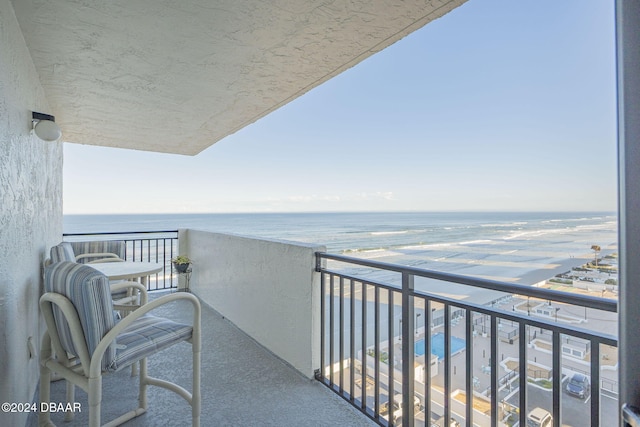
[{"x": 149, "y": 246}]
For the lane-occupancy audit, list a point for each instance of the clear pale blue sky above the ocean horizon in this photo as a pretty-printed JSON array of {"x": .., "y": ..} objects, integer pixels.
[{"x": 500, "y": 105}]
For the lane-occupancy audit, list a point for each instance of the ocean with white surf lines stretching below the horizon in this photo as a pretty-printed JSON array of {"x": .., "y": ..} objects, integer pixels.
[{"x": 520, "y": 247}]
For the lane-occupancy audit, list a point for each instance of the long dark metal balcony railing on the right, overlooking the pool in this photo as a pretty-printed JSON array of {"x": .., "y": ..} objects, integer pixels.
[{"x": 381, "y": 369}]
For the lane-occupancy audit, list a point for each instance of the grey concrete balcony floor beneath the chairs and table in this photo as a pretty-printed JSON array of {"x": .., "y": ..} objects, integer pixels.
[{"x": 243, "y": 384}]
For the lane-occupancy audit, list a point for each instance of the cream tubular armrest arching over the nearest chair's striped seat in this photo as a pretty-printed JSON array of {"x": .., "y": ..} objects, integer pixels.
[{"x": 98, "y": 354}]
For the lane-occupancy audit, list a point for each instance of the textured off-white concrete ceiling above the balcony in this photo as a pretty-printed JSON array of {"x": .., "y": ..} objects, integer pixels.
[{"x": 177, "y": 76}]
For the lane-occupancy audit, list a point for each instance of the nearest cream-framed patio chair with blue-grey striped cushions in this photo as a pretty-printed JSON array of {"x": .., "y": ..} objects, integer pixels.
[{"x": 81, "y": 324}]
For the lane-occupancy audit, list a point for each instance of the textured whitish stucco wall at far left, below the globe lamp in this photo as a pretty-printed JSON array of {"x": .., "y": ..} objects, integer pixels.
[{"x": 30, "y": 214}]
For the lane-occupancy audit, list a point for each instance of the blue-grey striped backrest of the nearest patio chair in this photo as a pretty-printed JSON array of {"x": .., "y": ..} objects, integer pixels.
[{"x": 88, "y": 290}]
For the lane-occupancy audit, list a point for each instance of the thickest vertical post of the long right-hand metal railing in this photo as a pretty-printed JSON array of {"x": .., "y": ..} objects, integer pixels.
[{"x": 408, "y": 354}]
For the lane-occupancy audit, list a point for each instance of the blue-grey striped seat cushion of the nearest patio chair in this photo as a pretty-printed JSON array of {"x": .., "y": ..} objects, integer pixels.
[{"x": 146, "y": 336}]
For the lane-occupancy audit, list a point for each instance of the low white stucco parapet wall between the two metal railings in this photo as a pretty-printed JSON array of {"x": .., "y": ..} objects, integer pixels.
[{"x": 267, "y": 288}]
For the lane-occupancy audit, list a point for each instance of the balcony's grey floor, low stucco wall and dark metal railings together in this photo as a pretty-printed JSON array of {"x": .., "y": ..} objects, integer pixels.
[{"x": 285, "y": 311}]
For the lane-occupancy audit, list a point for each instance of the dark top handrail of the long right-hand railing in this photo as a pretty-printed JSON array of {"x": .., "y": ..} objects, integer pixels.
[{"x": 510, "y": 288}]
